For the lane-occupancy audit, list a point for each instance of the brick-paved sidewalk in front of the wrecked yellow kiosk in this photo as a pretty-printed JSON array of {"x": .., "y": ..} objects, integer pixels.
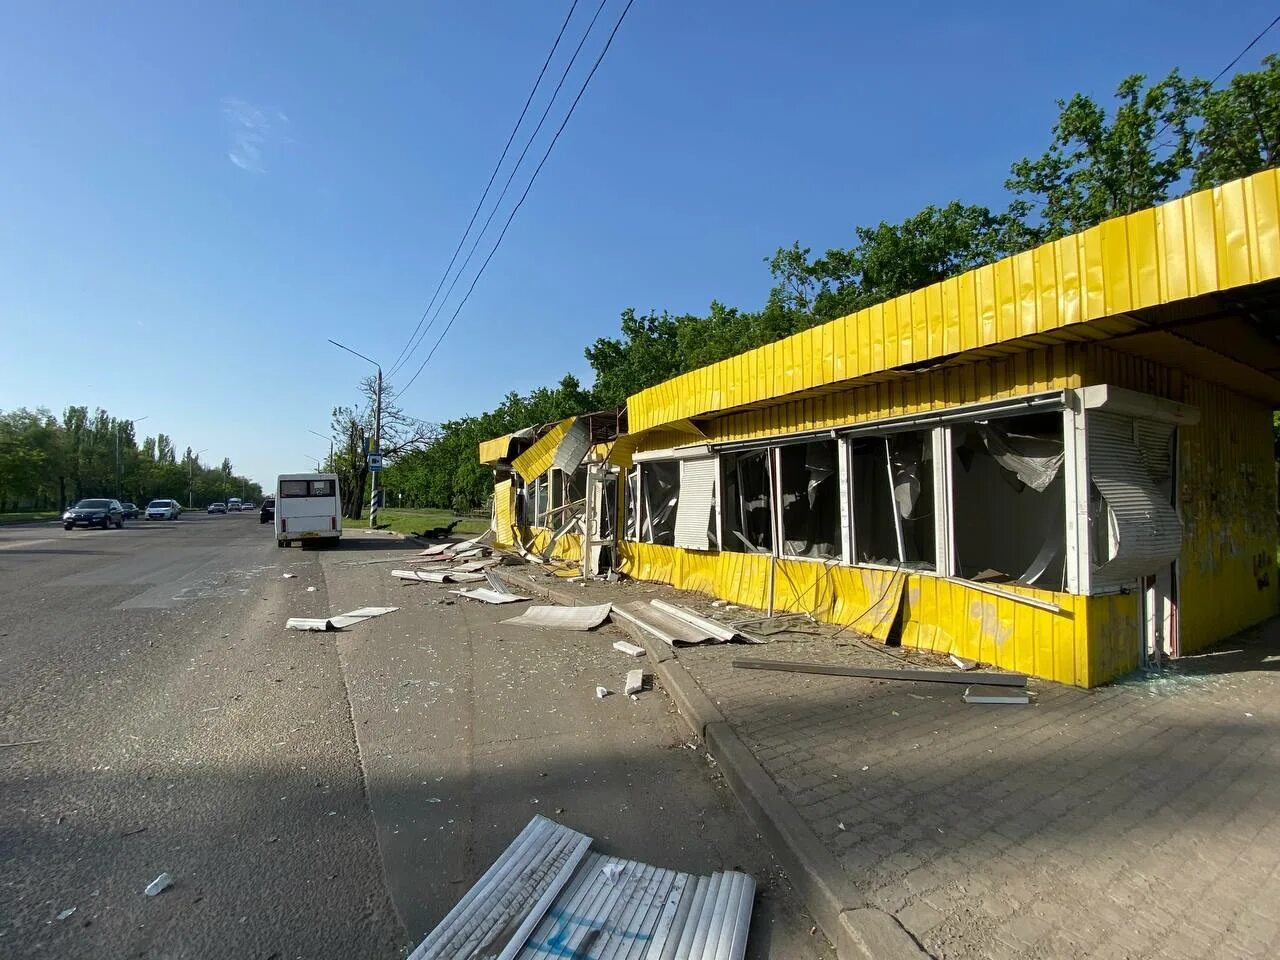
[{"x": 1136, "y": 821}]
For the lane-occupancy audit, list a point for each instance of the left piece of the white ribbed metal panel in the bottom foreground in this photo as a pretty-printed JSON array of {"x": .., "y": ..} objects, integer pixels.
[{"x": 496, "y": 917}]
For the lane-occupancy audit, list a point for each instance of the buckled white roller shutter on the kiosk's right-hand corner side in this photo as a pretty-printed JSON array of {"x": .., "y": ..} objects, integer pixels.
[{"x": 1145, "y": 529}]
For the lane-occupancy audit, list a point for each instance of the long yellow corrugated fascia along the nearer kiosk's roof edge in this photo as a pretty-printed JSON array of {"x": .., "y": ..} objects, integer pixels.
[{"x": 1224, "y": 237}]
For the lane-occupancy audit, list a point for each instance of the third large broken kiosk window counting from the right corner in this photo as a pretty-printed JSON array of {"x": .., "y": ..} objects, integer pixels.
[{"x": 810, "y": 500}]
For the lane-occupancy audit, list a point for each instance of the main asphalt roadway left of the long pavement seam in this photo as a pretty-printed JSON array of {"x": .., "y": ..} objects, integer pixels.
[{"x": 185, "y": 733}]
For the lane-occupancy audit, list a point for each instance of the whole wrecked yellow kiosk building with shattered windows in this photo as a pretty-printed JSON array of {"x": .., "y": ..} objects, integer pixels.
[{"x": 1060, "y": 464}]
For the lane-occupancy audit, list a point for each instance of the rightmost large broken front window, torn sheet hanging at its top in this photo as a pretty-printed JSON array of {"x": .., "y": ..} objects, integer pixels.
[{"x": 1009, "y": 501}]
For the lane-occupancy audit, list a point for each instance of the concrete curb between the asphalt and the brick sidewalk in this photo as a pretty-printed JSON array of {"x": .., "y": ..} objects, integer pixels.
[{"x": 858, "y": 931}]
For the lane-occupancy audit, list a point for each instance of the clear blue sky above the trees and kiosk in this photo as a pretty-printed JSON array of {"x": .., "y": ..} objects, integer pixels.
[{"x": 195, "y": 196}]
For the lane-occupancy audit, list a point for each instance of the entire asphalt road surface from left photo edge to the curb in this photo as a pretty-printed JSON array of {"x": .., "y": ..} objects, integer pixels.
[{"x": 312, "y": 794}]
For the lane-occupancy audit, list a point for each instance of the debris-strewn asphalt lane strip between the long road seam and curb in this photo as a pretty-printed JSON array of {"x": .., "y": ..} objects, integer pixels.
[{"x": 468, "y": 728}]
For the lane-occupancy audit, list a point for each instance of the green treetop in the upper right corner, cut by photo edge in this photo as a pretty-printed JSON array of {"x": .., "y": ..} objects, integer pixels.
[{"x": 1241, "y": 132}]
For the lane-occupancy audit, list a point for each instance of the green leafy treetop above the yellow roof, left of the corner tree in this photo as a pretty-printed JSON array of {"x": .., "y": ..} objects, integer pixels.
[{"x": 1100, "y": 167}]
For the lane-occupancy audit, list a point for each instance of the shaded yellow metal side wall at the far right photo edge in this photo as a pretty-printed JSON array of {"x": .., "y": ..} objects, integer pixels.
[{"x": 1228, "y": 504}]
